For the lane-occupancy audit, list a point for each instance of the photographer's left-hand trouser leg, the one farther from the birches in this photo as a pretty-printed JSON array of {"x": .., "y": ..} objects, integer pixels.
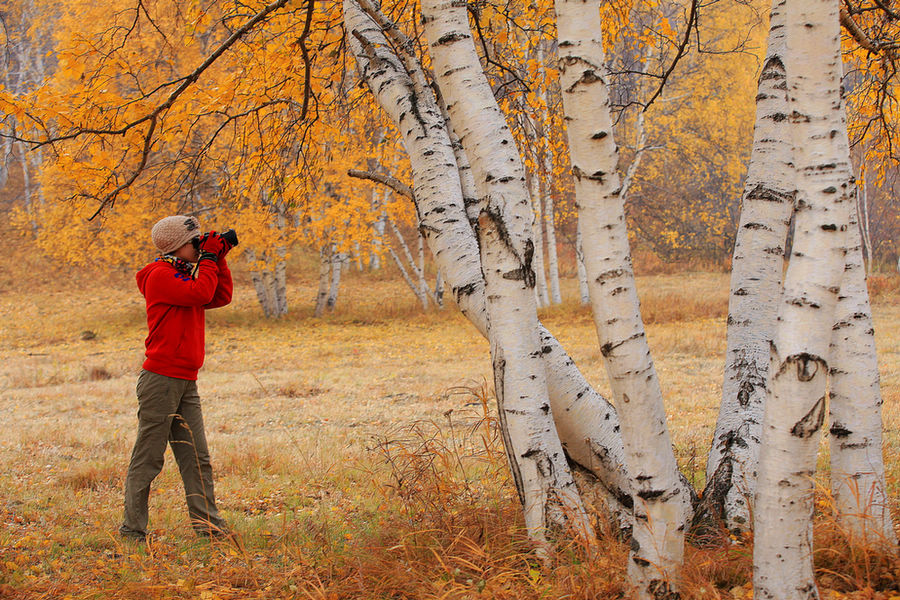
[{"x": 157, "y": 401}]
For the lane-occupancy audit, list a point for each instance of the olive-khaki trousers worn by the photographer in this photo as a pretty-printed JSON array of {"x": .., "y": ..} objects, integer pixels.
[{"x": 169, "y": 412}]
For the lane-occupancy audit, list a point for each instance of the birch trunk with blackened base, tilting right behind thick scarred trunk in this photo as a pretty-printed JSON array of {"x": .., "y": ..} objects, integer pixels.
[{"x": 756, "y": 273}]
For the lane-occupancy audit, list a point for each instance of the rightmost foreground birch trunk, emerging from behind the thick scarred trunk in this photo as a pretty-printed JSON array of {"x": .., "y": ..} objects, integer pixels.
[{"x": 855, "y": 436}]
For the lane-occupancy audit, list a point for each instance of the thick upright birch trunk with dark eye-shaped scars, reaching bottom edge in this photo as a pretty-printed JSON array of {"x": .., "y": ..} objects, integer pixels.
[{"x": 795, "y": 405}]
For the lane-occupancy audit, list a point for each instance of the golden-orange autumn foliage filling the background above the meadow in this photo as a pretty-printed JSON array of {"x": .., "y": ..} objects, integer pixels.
[{"x": 133, "y": 110}]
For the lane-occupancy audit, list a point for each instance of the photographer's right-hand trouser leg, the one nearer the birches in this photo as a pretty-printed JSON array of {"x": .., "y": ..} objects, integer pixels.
[{"x": 188, "y": 440}]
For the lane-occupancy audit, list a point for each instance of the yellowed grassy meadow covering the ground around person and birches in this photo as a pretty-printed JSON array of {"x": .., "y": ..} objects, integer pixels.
[{"x": 356, "y": 456}]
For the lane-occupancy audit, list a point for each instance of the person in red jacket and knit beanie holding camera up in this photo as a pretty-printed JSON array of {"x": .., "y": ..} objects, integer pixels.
[{"x": 189, "y": 277}]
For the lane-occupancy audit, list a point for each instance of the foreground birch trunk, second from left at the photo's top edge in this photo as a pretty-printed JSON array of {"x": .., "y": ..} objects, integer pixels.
[{"x": 505, "y": 227}]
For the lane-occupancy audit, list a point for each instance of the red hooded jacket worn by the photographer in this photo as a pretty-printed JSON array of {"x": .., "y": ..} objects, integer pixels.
[{"x": 175, "y": 314}]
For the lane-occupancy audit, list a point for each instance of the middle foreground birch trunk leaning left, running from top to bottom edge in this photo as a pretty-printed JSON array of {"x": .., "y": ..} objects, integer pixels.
[{"x": 661, "y": 499}]
